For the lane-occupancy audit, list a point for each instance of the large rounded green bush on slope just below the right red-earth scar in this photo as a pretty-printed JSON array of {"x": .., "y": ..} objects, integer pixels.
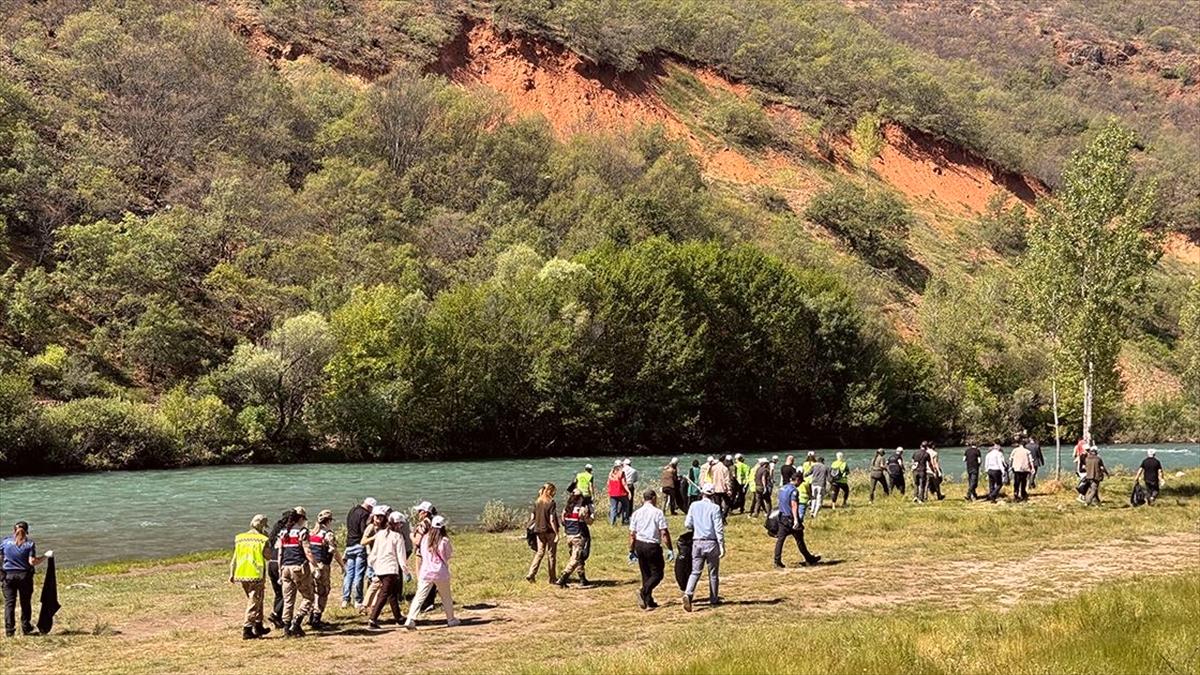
[{"x": 874, "y": 225}]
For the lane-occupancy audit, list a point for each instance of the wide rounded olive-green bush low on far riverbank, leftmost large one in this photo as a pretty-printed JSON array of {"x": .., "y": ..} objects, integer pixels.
[{"x": 107, "y": 434}]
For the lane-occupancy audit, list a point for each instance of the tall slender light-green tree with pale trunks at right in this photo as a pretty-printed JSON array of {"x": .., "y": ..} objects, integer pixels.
[{"x": 1090, "y": 250}]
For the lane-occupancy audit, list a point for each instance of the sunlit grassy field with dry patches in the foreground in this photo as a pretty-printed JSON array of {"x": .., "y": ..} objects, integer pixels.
[{"x": 939, "y": 588}]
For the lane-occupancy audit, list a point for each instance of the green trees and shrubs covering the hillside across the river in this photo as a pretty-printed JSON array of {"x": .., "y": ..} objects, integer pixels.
[{"x": 212, "y": 259}]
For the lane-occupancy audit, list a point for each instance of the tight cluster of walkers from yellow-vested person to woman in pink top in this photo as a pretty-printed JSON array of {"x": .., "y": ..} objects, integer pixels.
[{"x": 298, "y": 560}]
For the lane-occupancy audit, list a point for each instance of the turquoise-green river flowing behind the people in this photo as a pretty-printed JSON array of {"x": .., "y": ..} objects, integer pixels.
[{"x": 91, "y": 518}]
